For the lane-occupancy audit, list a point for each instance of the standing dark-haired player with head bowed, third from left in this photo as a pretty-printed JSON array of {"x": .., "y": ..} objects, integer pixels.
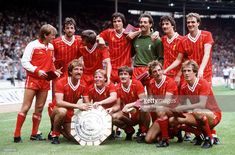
[{"x": 95, "y": 56}]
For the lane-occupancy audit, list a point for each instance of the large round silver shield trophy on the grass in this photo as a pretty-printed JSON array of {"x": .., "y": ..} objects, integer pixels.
[{"x": 91, "y": 127}]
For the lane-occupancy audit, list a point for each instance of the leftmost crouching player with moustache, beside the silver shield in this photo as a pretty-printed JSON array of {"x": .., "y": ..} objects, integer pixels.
[{"x": 68, "y": 90}]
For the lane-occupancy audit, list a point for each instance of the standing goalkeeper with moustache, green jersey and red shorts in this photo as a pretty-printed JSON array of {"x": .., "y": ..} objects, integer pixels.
[{"x": 145, "y": 49}]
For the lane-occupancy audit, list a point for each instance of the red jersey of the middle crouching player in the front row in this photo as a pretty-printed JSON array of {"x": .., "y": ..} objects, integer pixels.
[{"x": 130, "y": 94}]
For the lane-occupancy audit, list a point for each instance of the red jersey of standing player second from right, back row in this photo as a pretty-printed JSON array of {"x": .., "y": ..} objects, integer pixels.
[{"x": 172, "y": 47}]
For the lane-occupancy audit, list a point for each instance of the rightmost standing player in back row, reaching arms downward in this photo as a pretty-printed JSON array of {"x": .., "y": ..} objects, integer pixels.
[{"x": 197, "y": 45}]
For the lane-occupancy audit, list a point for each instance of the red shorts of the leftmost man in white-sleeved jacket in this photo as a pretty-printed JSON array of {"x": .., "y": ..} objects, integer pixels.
[{"x": 37, "y": 83}]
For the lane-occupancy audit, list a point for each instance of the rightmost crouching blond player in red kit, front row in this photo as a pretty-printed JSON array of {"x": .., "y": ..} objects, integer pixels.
[{"x": 206, "y": 113}]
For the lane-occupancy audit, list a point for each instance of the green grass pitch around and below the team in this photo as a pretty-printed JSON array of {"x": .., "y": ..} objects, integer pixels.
[{"x": 225, "y": 130}]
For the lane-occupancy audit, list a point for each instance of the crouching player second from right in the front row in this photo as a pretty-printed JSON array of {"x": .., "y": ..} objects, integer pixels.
[{"x": 164, "y": 91}]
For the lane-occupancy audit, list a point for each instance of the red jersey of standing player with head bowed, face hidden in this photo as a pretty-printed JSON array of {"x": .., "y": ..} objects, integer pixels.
[{"x": 93, "y": 58}]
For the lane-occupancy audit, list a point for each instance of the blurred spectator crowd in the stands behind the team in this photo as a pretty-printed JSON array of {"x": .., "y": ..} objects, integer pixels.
[{"x": 18, "y": 27}]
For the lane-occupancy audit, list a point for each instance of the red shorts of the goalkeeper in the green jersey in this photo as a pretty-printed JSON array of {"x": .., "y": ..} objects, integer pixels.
[{"x": 138, "y": 72}]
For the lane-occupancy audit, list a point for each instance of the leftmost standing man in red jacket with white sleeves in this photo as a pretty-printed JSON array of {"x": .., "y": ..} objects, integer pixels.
[{"x": 37, "y": 60}]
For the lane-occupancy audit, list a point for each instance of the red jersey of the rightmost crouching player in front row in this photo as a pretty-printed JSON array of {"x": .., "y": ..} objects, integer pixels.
[{"x": 203, "y": 88}]
